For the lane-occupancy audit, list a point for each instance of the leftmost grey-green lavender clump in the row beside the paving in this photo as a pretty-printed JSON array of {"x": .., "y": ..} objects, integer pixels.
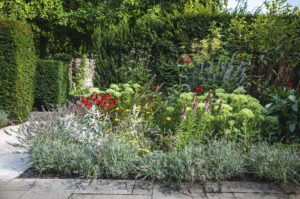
[{"x": 60, "y": 156}]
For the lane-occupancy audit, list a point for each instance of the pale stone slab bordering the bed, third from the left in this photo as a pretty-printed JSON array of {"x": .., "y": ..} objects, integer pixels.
[{"x": 106, "y": 187}]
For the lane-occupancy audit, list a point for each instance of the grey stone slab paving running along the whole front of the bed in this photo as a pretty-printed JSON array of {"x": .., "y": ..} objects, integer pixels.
[{"x": 126, "y": 189}]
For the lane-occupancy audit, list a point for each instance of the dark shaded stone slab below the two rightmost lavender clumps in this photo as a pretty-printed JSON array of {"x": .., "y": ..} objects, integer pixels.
[{"x": 251, "y": 187}]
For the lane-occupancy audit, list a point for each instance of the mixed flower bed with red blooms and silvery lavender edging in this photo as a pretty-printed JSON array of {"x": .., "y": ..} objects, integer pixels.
[{"x": 127, "y": 131}]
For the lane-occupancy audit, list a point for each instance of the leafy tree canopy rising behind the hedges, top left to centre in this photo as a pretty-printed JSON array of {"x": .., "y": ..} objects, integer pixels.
[{"x": 64, "y": 27}]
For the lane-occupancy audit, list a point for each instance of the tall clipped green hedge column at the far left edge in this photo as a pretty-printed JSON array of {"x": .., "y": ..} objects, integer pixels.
[{"x": 17, "y": 69}]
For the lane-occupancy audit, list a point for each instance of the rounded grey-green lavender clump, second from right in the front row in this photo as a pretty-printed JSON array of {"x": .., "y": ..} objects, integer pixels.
[{"x": 223, "y": 160}]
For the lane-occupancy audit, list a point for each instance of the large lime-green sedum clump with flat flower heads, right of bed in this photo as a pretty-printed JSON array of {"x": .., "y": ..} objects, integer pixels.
[{"x": 233, "y": 116}]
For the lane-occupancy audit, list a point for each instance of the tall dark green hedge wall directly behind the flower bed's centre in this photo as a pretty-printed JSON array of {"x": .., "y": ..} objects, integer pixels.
[{"x": 161, "y": 39}]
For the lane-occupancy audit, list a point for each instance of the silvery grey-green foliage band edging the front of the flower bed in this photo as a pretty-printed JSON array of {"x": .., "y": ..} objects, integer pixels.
[{"x": 69, "y": 145}]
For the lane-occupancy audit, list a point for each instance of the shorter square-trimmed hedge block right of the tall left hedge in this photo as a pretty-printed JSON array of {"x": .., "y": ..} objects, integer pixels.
[{"x": 51, "y": 83}]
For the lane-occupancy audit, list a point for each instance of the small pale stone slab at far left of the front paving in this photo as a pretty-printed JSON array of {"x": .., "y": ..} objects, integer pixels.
[{"x": 18, "y": 185}]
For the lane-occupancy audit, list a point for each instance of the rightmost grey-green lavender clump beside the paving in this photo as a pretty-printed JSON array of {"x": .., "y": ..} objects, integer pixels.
[{"x": 274, "y": 163}]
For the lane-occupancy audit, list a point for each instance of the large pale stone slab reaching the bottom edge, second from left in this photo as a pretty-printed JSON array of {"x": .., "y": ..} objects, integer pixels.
[{"x": 52, "y": 189}]
